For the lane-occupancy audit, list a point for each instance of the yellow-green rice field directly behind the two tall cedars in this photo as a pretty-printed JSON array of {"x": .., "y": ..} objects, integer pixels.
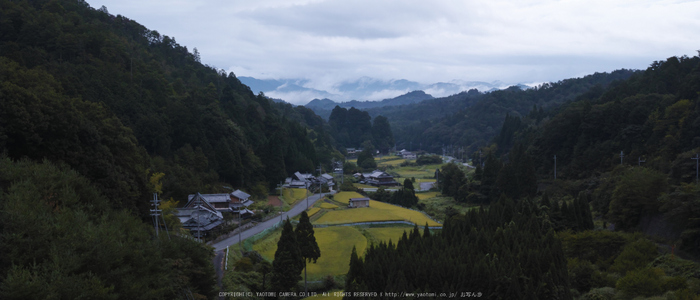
[{"x": 335, "y": 244}]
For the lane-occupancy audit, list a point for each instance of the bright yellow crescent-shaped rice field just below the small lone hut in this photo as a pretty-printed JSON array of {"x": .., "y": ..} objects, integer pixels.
[{"x": 378, "y": 211}]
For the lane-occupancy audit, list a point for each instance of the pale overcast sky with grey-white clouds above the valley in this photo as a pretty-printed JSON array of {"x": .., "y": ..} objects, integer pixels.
[{"x": 424, "y": 41}]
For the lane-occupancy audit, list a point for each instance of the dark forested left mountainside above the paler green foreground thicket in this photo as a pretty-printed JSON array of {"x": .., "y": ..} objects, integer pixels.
[{"x": 140, "y": 101}]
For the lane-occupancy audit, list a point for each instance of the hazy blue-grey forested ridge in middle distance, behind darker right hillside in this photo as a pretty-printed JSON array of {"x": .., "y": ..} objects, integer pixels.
[{"x": 471, "y": 119}]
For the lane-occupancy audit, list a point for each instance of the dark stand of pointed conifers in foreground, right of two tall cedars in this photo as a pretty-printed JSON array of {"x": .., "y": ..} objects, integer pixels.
[{"x": 505, "y": 252}]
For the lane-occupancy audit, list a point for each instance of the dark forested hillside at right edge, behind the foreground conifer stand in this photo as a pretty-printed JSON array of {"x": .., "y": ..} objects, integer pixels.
[{"x": 630, "y": 148}]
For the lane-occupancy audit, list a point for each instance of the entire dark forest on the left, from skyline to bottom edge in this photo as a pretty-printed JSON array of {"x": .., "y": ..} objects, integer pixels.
[{"x": 92, "y": 106}]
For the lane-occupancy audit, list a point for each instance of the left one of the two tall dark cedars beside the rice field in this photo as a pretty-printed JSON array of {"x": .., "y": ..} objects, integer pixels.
[{"x": 288, "y": 263}]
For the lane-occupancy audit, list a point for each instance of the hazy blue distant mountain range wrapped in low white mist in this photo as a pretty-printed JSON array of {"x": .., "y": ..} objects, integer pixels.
[{"x": 303, "y": 91}]
